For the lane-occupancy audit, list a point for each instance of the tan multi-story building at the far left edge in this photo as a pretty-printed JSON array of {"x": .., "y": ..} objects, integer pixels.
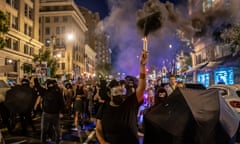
[{"x": 22, "y": 40}]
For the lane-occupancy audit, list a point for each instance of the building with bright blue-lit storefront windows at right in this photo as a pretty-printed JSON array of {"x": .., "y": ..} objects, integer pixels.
[{"x": 210, "y": 59}]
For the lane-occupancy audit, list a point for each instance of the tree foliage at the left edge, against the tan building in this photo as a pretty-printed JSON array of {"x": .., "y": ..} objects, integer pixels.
[{"x": 3, "y": 28}]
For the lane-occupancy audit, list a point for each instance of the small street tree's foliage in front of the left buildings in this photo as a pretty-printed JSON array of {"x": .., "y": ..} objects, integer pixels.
[{"x": 51, "y": 62}]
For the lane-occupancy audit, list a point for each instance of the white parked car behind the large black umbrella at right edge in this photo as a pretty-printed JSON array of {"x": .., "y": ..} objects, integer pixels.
[{"x": 231, "y": 93}]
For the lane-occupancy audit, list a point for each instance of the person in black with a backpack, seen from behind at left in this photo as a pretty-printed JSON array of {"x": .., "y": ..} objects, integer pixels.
[{"x": 52, "y": 107}]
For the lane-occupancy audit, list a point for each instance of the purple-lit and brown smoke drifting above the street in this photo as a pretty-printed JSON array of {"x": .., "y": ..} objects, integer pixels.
[{"x": 126, "y": 37}]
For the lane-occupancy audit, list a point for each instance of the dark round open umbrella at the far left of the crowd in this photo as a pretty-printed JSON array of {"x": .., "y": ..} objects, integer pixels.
[{"x": 19, "y": 99}]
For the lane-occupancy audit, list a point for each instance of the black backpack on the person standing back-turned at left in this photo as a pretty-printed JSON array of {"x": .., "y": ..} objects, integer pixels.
[{"x": 52, "y": 102}]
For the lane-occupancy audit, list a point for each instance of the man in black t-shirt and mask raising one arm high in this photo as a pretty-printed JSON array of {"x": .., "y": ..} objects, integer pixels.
[{"x": 117, "y": 119}]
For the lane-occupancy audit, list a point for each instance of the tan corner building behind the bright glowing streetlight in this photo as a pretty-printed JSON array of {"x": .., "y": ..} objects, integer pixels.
[{"x": 62, "y": 29}]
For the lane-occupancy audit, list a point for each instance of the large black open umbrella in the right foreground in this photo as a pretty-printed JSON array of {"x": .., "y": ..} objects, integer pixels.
[{"x": 190, "y": 116}]
